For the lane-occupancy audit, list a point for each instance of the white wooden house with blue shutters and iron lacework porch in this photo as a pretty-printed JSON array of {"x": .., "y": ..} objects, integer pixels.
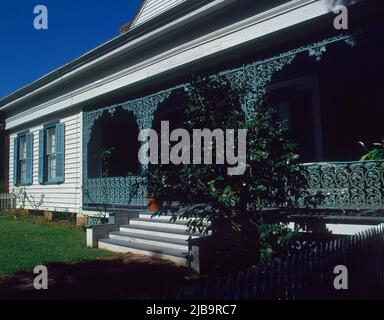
[{"x": 287, "y": 50}]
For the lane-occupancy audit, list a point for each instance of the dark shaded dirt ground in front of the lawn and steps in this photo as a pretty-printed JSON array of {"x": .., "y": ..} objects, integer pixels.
[{"x": 125, "y": 277}]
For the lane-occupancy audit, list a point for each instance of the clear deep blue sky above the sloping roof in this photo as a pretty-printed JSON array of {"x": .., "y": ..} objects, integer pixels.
[{"x": 75, "y": 26}]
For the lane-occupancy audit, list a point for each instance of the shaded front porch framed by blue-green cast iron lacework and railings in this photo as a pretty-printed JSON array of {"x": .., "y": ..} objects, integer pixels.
[{"x": 304, "y": 103}]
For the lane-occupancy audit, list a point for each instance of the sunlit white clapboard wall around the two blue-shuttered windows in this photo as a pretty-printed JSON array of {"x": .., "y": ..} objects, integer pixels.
[{"x": 65, "y": 196}]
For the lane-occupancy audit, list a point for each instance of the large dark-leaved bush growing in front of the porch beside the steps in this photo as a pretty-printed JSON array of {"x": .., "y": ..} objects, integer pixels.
[{"x": 233, "y": 205}]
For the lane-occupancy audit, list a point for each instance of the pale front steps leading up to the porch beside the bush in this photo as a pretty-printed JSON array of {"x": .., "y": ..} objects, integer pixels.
[{"x": 153, "y": 236}]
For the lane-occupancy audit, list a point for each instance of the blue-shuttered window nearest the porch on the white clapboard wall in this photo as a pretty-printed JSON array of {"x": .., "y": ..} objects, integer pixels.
[{"x": 51, "y": 154}]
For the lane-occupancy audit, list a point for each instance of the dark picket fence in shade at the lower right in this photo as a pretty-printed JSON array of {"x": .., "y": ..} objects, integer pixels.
[{"x": 306, "y": 275}]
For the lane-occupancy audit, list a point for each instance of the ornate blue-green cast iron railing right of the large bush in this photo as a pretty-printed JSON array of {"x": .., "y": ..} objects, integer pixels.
[{"x": 346, "y": 185}]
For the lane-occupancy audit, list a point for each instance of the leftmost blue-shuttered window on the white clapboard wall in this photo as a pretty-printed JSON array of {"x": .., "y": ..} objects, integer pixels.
[{"x": 22, "y": 166}]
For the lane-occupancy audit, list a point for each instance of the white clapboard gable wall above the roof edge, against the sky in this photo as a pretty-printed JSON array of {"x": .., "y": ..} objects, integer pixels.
[{"x": 153, "y": 8}]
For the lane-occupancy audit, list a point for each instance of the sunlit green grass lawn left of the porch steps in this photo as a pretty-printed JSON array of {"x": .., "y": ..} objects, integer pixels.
[{"x": 25, "y": 244}]
